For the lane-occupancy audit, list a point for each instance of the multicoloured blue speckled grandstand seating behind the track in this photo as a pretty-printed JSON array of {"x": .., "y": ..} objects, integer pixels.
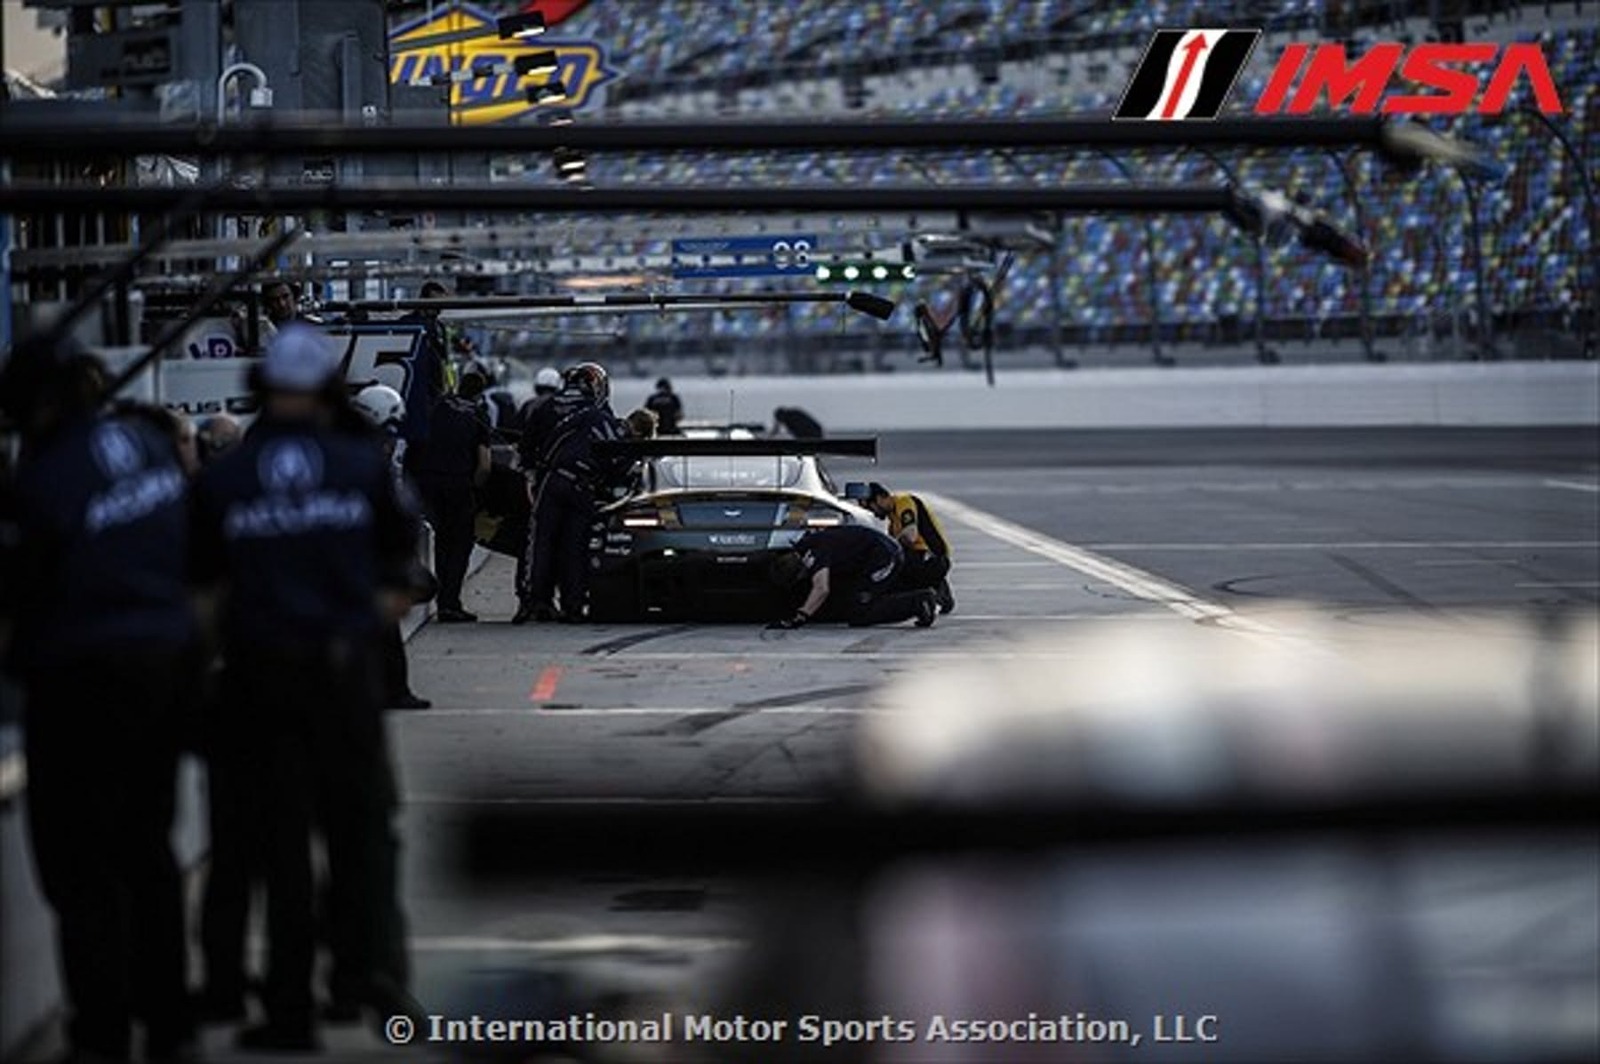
[{"x": 1532, "y": 225}]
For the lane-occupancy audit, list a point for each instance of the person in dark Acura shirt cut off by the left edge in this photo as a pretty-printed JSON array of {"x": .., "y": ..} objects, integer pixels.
[{"x": 103, "y": 647}]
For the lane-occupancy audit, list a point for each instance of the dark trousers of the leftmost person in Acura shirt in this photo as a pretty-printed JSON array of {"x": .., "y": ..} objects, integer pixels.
[{"x": 102, "y": 762}]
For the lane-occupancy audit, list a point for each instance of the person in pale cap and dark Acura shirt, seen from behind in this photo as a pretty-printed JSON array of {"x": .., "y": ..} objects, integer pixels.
[{"x": 303, "y": 534}]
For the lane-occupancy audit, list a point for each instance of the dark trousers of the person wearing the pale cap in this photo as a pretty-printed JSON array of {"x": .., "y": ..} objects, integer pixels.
[{"x": 319, "y": 759}]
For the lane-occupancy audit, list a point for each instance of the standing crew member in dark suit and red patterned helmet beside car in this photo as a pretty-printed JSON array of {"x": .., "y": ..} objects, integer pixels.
[{"x": 559, "y": 449}]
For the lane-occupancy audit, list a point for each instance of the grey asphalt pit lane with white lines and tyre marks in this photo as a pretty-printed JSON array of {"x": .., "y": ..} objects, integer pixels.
[{"x": 1050, "y": 529}]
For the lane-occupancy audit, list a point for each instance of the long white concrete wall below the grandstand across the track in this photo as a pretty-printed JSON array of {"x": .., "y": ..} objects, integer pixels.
[{"x": 1326, "y": 396}]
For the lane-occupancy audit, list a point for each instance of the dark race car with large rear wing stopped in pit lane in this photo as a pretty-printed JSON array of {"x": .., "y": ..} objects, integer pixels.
[{"x": 695, "y": 537}]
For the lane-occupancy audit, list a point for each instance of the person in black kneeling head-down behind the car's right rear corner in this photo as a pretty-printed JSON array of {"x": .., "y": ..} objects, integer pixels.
[{"x": 852, "y": 570}]
